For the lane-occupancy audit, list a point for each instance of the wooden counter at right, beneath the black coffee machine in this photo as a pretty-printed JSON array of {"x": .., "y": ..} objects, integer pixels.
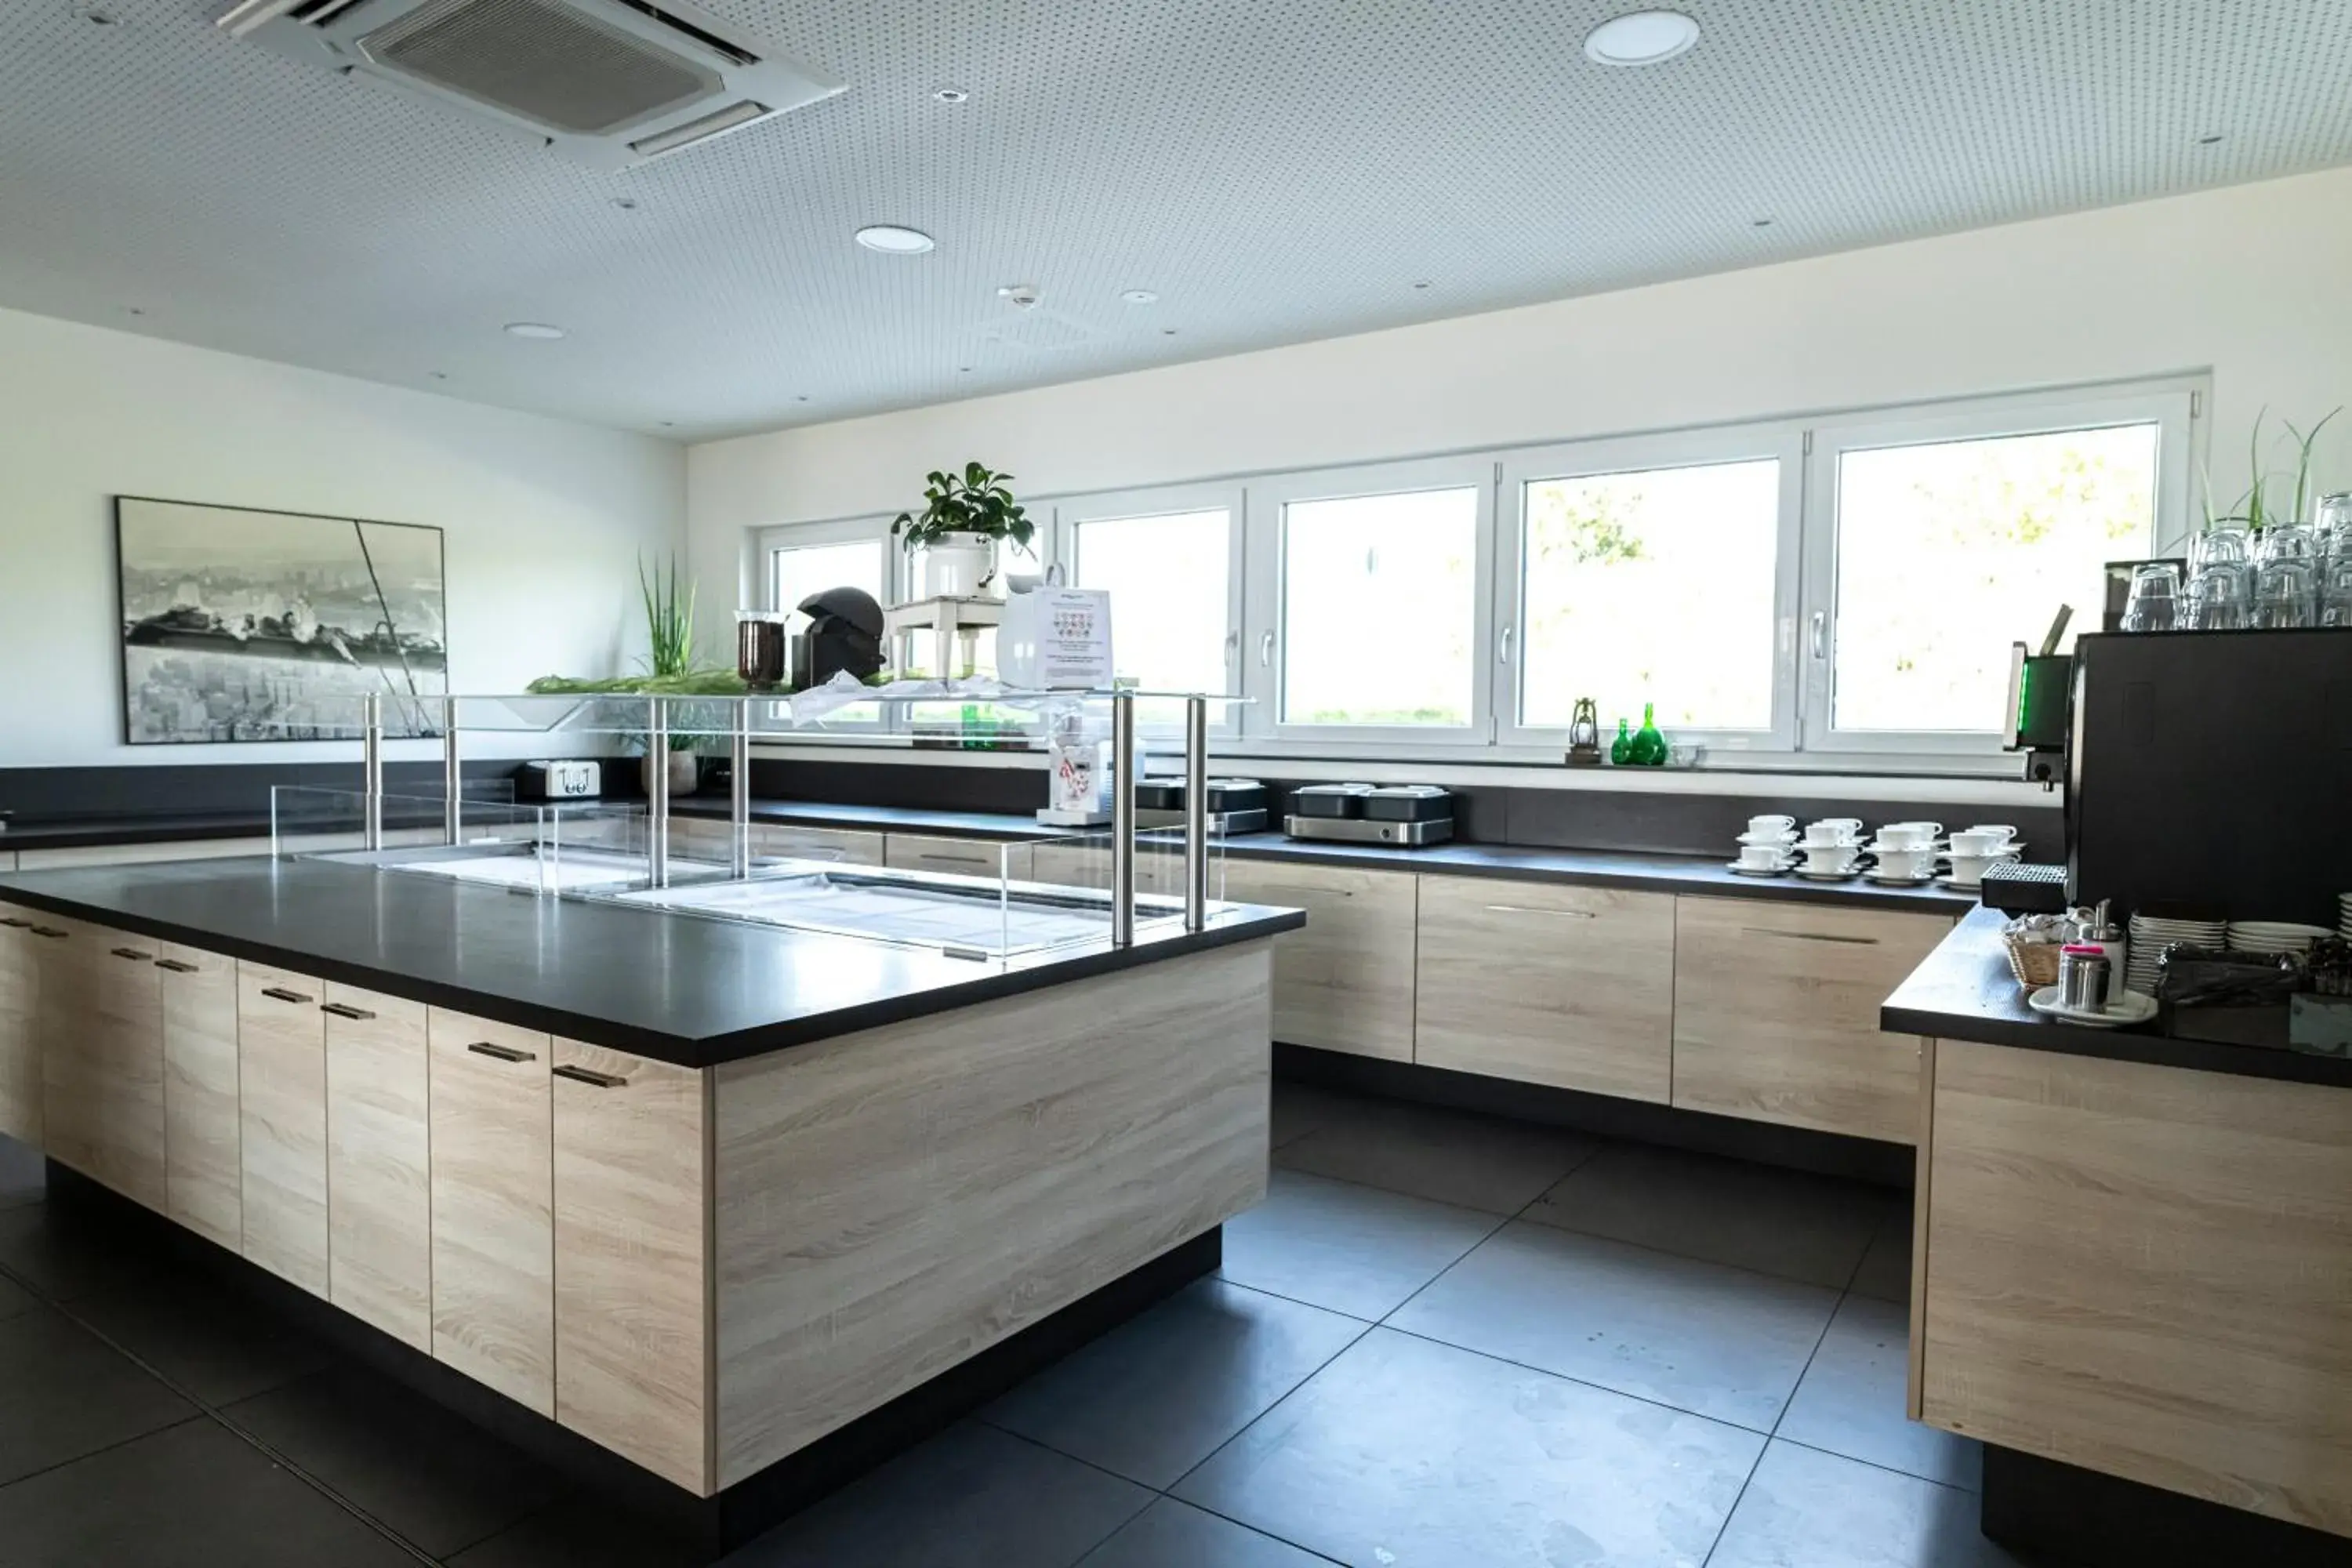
[{"x": 2132, "y": 1278}]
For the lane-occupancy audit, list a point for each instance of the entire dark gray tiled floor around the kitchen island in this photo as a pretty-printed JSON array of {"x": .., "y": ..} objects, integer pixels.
[{"x": 1443, "y": 1341}]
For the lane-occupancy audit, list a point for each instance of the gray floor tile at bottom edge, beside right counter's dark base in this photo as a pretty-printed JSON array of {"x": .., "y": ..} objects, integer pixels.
[{"x": 1817, "y": 1510}]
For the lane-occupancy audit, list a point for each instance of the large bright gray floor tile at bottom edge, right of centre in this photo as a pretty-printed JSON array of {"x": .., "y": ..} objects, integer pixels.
[{"x": 1405, "y": 1452}]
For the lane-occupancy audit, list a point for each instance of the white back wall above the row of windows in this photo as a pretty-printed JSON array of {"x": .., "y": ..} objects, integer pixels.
[{"x": 2252, "y": 283}]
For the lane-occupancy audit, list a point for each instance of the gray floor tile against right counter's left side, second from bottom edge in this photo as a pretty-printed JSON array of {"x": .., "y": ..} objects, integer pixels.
[{"x": 1852, "y": 1400}]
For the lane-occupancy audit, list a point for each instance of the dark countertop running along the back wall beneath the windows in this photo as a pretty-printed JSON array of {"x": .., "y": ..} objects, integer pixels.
[{"x": 1584, "y": 866}]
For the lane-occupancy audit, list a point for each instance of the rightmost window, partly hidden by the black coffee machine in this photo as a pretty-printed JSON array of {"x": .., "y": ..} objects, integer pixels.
[{"x": 1932, "y": 556}]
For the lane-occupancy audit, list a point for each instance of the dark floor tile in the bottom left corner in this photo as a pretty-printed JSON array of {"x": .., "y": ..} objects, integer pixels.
[{"x": 185, "y": 1499}]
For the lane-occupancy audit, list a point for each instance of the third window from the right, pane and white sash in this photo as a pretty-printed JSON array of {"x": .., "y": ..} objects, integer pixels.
[{"x": 1379, "y": 589}]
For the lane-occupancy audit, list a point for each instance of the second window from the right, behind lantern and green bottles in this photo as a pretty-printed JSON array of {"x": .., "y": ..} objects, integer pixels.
[{"x": 1657, "y": 584}]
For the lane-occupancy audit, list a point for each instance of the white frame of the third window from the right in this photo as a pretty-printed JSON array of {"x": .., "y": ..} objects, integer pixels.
[{"x": 1264, "y": 596}]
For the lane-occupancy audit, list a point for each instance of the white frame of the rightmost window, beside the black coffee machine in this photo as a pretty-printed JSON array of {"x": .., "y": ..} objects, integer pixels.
[{"x": 2170, "y": 406}]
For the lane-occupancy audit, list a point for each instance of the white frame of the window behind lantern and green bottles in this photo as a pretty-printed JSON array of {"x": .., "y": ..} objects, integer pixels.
[{"x": 1782, "y": 441}]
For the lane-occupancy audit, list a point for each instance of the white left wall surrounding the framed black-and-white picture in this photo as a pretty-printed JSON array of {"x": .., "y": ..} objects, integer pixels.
[{"x": 544, "y": 518}]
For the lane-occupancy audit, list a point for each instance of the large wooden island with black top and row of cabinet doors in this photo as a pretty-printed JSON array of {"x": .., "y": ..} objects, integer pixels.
[{"x": 709, "y": 1212}]
